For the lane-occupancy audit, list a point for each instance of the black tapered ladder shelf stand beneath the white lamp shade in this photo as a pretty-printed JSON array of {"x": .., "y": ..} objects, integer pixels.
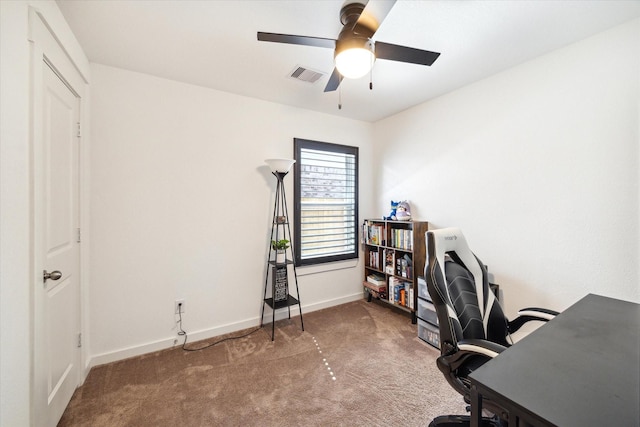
[{"x": 279, "y": 269}]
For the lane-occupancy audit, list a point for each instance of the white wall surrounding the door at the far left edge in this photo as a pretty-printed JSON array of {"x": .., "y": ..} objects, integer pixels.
[{"x": 16, "y": 278}]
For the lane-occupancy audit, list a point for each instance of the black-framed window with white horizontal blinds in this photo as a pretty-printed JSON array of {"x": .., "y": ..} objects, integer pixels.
[{"x": 326, "y": 202}]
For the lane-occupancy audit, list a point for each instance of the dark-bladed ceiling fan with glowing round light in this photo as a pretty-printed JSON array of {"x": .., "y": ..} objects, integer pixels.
[{"x": 354, "y": 51}]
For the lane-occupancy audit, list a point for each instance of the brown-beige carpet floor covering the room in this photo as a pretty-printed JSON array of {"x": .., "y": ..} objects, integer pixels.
[{"x": 357, "y": 364}]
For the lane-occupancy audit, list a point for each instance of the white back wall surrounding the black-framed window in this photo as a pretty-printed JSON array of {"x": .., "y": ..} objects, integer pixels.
[{"x": 181, "y": 208}]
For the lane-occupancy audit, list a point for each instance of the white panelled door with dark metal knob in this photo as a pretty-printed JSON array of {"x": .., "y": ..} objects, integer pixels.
[{"x": 56, "y": 358}]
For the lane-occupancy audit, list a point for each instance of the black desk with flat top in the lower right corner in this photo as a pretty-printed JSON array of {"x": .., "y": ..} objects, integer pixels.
[{"x": 580, "y": 369}]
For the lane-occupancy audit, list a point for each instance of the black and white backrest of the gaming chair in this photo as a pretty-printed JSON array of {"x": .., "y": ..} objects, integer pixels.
[{"x": 459, "y": 287}]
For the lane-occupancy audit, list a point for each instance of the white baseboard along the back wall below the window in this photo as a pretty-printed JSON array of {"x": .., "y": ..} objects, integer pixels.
[{"x": 150, "y": 347}]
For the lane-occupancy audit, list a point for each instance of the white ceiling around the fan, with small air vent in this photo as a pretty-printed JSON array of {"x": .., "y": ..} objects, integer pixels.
[{"x": 213, "y": 44}]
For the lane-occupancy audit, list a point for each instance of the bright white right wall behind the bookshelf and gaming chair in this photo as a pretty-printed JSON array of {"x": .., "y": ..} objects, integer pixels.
[{"x": 539, "y": 167}]
